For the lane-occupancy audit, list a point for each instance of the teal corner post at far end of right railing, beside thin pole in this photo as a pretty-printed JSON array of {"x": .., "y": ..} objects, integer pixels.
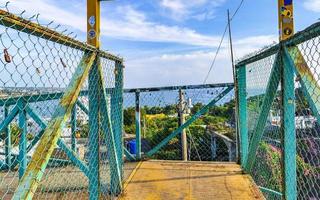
[{"x": 243, "y": 130}]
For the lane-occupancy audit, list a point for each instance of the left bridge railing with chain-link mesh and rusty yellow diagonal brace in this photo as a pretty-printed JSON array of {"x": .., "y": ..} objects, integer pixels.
[{"x": 61, "y": 113}]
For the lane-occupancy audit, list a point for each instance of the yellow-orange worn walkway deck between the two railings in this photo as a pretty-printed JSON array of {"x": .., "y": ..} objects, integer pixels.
[{"x": 171, "y": 180}]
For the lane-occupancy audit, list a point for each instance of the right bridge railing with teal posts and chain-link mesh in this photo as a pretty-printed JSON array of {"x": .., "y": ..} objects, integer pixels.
[{"x": 278, "y": 93}]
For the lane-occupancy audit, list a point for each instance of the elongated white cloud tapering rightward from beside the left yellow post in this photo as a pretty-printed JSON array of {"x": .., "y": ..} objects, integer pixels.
[{"x": 138, "y": 28}]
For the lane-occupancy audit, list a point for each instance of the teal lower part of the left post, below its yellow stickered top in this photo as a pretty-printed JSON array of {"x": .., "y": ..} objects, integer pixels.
[{"x": 94, "y": 130}]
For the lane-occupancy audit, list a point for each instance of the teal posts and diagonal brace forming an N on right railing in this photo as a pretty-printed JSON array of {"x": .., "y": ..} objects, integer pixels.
[{"x": 282, "y": 71}]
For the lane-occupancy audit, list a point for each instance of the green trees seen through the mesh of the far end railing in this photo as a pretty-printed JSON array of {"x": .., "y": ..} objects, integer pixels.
[{"x": 159, "y": 122}]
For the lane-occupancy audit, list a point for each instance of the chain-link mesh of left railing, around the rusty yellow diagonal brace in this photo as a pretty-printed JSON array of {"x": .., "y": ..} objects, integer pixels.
[{"x": 34, "y": 74}]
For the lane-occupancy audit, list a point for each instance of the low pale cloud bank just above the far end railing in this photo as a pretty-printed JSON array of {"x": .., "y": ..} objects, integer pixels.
[{"x": 191, "y": 67}]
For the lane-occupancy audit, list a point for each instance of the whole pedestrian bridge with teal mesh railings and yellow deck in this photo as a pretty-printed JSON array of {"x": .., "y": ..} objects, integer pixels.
[{"x": 70, "y": 131}]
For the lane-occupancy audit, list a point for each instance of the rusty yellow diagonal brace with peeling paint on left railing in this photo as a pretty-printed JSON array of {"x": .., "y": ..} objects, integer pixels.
[{"x": 29, "y": 182}]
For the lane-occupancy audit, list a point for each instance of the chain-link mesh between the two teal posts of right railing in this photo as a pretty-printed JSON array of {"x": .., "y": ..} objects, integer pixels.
[{"x": 266, "y": 170}]
